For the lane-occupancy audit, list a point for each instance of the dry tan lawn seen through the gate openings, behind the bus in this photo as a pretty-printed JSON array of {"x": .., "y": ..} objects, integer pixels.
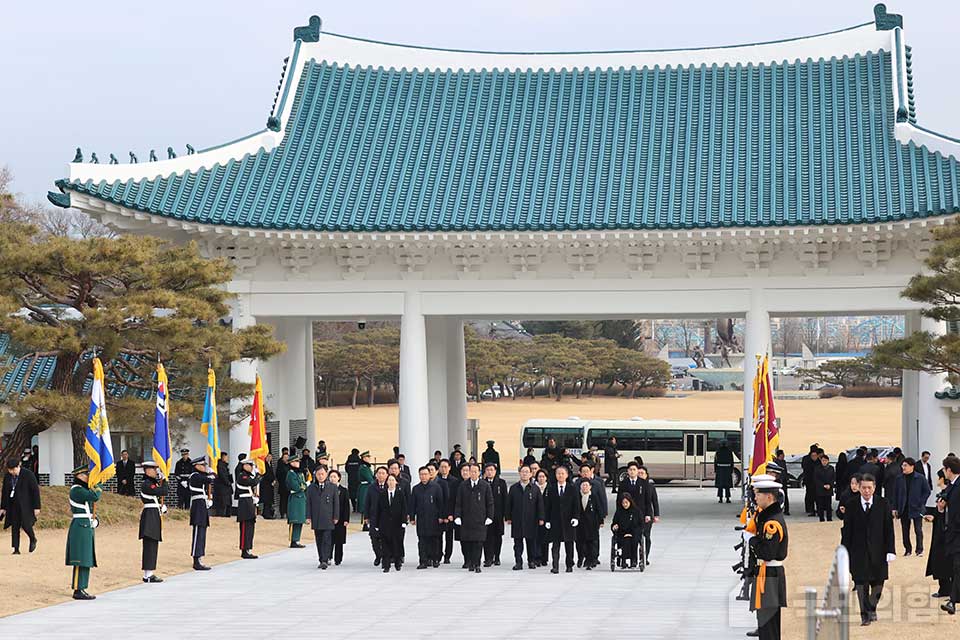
[{"x": 836, "y": 423}]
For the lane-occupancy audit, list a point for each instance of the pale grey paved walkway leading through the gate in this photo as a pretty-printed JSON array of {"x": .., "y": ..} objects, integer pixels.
[{"x": 687, "y": 592}]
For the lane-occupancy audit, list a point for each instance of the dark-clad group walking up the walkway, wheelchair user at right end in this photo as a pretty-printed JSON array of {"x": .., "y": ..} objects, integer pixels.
[{"x": 548, "y": 510}]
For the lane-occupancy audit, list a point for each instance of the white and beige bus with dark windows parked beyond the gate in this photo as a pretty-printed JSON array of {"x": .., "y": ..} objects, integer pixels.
[{"x": 671, "y": 449}]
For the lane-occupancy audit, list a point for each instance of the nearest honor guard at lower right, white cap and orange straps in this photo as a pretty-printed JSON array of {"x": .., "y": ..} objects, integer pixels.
[{"x": 768, "y": 589}]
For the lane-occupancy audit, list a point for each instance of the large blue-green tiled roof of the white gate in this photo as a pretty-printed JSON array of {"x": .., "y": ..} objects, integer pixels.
[{"x": 371, "y": 149}]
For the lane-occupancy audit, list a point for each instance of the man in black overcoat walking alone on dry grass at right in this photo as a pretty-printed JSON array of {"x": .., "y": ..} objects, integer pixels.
[{"x": 868, "y": 536}]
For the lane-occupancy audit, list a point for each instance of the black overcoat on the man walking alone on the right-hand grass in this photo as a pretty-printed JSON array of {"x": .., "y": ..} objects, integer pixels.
[{"x": 868, "y": 539}]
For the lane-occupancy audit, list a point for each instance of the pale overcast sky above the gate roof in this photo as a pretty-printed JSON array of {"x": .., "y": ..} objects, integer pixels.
[{"x": 115, "y": 76}]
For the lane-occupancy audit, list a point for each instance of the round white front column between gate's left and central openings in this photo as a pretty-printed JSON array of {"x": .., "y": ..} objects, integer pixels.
[{"x": 414, "y": 397}]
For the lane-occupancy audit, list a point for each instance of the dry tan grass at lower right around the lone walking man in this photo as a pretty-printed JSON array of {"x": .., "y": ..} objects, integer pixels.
[{"x": 906, "y": 608}]
